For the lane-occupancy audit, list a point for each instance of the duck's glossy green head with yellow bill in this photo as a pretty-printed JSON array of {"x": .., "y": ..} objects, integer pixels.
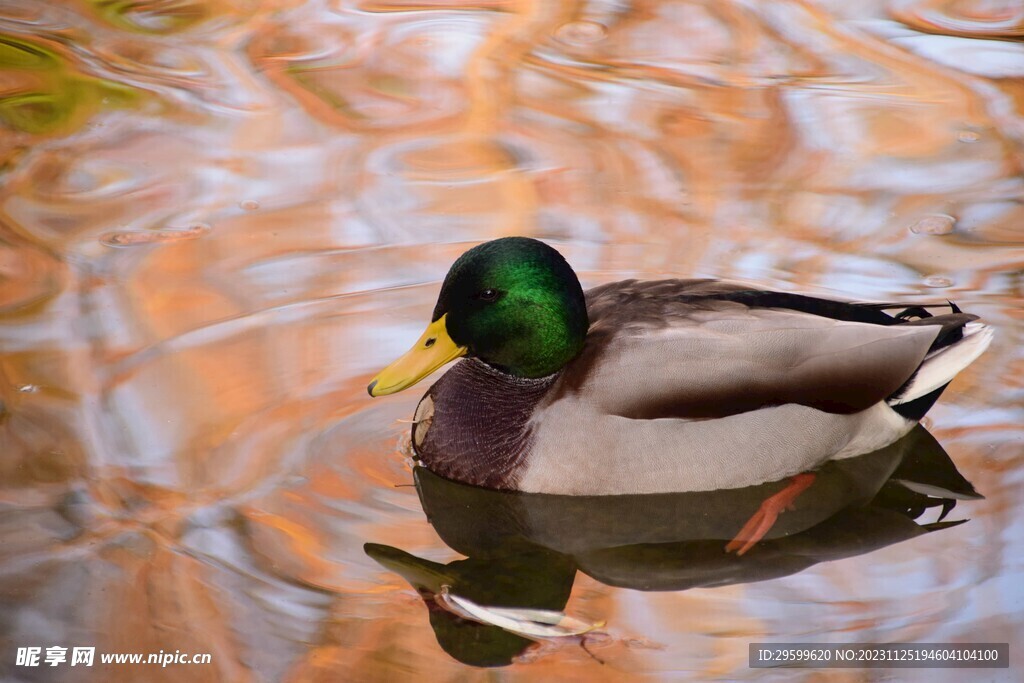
[{"x": 514, "y": 304}]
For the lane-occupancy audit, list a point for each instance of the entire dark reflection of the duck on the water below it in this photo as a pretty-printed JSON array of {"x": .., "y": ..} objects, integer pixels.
[{"x": 524, "y": 550}]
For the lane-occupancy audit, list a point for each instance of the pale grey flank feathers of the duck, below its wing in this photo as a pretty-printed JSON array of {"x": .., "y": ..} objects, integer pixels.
[{"x": 577, "y": 451}]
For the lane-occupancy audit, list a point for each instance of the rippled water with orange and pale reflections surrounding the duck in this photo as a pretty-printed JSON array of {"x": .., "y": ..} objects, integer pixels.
[{"x": 219, "y": 220}]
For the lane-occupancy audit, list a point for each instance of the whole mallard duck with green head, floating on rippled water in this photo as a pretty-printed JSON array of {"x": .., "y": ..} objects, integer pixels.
[{"x": 674, "y": 386}]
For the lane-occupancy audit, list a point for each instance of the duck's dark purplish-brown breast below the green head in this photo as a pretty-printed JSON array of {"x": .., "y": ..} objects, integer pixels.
[{"x": 473, "y": 425}]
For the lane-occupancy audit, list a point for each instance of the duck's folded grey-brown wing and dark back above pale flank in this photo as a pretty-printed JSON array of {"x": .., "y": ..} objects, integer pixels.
[{"x": 707, "y": 350}]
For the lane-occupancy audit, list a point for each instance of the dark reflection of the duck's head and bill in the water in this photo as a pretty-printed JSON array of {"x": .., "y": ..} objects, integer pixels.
[{"x": 525, "y": 577}]
